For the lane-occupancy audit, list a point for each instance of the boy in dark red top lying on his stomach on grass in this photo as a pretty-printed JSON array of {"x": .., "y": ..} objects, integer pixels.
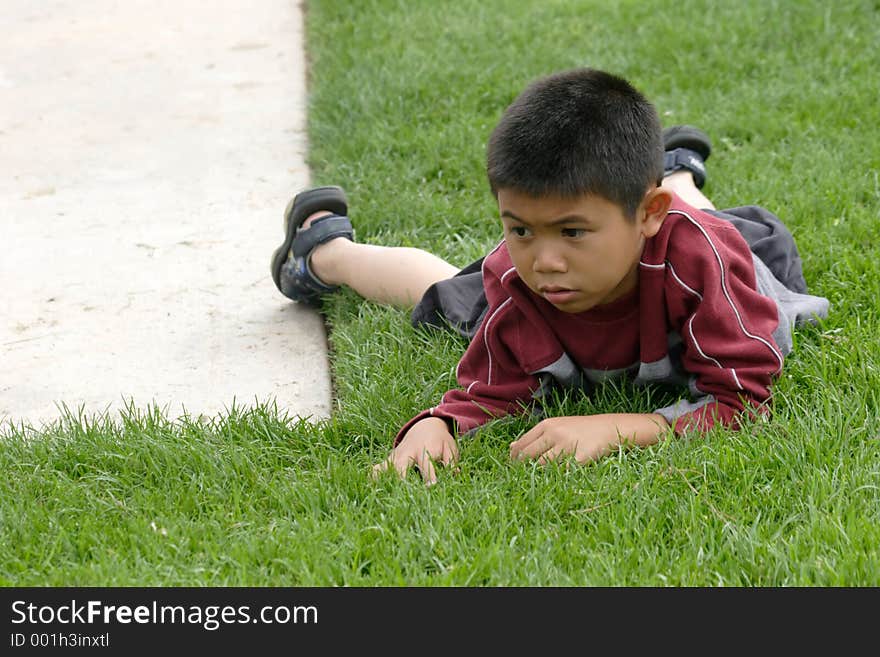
[{"x": 607, "y": 269}]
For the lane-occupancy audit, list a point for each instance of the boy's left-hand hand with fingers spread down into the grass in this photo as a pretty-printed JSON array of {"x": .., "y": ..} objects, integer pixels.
[{"x": 426, "y": 441}]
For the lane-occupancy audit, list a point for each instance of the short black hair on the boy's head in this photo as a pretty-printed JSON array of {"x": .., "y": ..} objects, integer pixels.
[{"x": 581, "y": 131}]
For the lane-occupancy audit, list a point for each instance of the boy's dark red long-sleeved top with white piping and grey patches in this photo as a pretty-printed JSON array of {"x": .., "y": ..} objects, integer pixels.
[{"x": 695, "y": 319}]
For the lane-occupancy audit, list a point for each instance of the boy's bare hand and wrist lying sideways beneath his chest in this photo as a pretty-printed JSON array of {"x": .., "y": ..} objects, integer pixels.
[{"x": 587, "y": 437}]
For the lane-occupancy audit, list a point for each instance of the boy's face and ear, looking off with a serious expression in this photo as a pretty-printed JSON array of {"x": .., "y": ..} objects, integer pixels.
[{"x": 576, "y": 253}]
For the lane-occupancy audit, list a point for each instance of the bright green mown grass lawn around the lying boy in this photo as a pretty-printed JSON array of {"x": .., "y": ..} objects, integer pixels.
[{"x": 402, "y": 98}]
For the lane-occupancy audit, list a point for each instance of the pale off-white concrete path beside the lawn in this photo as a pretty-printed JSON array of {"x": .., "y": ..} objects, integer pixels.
[{"x": 147, "y": 151}]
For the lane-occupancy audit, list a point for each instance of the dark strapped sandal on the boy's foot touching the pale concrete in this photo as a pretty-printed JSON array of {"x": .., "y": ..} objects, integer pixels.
[{"x": 290, "y": 261}]
